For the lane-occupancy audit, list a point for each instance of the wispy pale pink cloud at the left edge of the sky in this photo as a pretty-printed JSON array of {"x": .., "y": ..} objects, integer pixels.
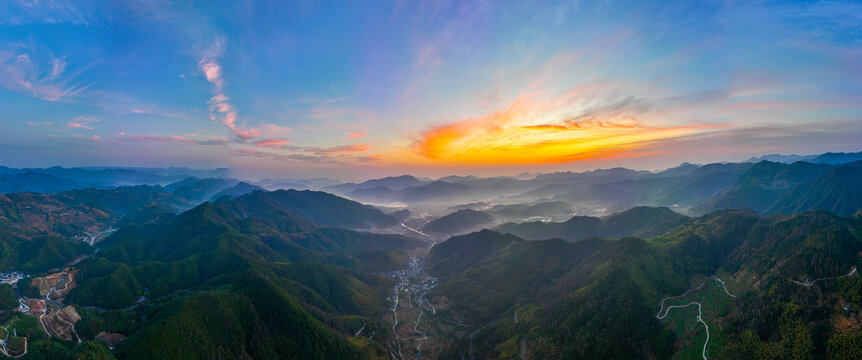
[{"x": 19, "y": 72}]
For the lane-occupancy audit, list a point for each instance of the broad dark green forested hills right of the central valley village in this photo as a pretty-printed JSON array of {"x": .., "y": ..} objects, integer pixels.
[{"x": 580, "y": 298}]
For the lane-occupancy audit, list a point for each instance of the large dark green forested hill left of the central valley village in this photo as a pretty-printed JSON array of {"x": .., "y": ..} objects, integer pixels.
[{"x": 270, "y": 286}]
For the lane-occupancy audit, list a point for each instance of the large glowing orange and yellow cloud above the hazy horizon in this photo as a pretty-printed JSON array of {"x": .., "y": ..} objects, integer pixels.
[{"x": 592, "y": 121}]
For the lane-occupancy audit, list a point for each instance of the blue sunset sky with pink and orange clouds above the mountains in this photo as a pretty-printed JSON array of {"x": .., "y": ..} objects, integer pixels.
[{"x": 356, "y": 89}]
